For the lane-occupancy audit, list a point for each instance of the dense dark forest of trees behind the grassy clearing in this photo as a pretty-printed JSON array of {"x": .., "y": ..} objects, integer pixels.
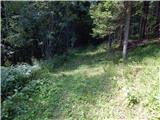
[{"x": 43, "y": 29}]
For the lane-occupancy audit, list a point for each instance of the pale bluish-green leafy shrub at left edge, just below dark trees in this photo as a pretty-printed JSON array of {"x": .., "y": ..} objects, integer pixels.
[{"x": 13, "y": 78}]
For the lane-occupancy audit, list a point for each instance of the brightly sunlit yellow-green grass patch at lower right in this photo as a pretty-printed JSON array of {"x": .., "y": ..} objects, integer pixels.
[{"x": 119, "y": 105}]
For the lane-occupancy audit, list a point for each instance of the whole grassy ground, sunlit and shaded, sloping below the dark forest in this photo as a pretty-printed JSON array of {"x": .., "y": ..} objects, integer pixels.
[{"x": 92, "y": 84}]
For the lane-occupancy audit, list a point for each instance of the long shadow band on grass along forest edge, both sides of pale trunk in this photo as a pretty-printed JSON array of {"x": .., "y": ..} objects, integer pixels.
[{"x": 76, "y": 60}]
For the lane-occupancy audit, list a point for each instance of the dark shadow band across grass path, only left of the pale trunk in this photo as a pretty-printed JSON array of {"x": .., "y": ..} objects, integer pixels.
[{"x": 77, "y": 60}]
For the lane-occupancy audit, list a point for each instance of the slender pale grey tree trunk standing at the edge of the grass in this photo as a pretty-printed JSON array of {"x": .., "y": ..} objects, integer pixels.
[{"x": 126, "y": 30}]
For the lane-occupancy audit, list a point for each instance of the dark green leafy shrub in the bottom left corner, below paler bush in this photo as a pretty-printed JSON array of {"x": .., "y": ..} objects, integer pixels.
[{"x": 14, "y": 105}]
